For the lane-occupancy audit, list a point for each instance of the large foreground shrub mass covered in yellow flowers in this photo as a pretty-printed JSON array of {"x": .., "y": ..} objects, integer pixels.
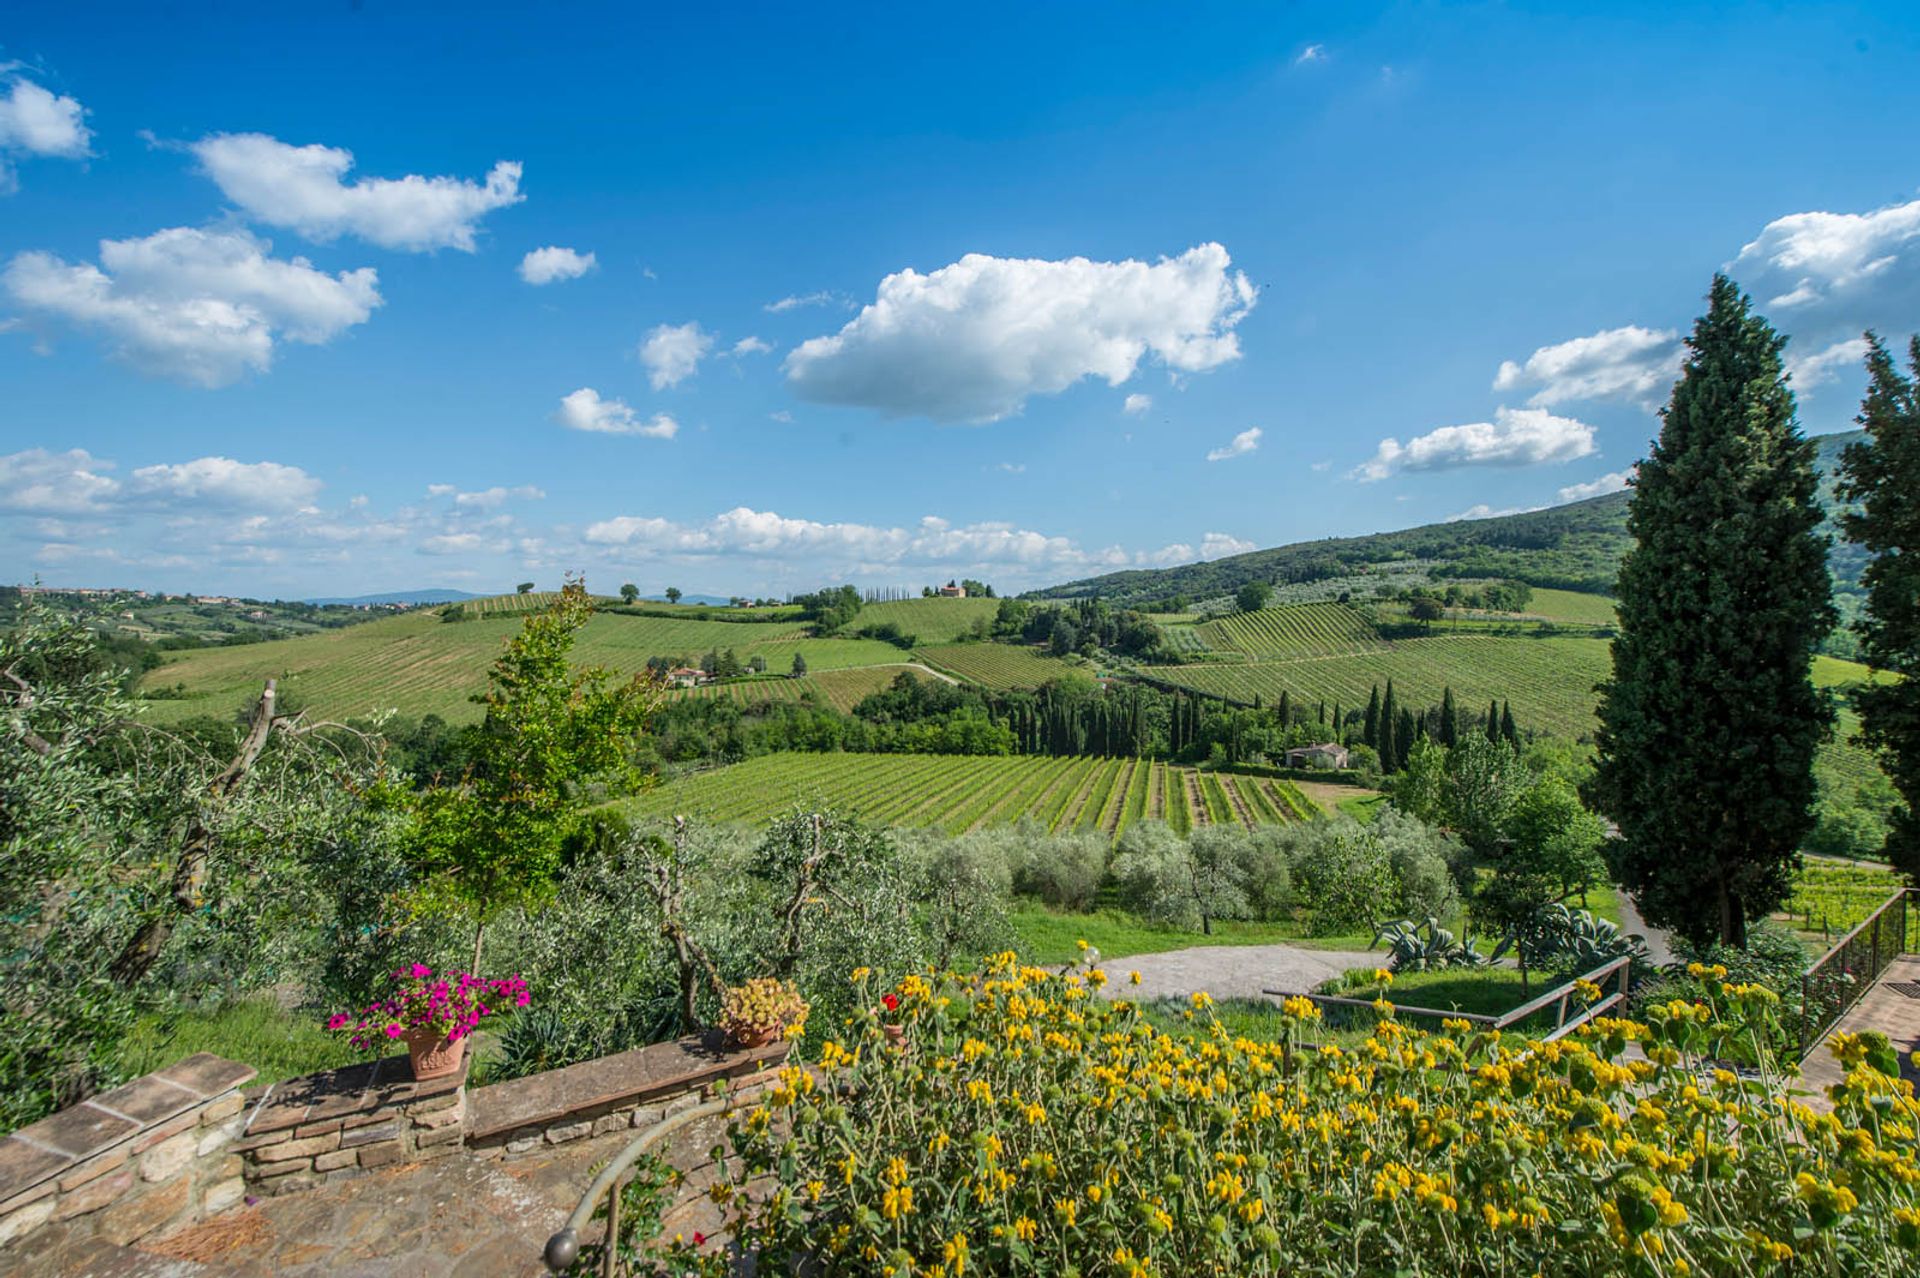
[{"x": 1032, "y": 1127}]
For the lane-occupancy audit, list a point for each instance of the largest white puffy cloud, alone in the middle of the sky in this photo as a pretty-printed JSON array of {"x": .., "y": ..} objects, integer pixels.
[{"x": 971, "y": 343}]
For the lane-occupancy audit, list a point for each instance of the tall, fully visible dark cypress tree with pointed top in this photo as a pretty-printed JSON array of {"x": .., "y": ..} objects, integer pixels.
[{"x": 1710, "y": 724}]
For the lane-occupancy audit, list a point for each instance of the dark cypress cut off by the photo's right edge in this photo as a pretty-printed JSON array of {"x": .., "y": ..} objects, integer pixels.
[{"x": 1884, "y": 477}]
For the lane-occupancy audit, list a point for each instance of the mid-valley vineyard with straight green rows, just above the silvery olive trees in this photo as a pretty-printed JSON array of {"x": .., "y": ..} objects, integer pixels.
[{"x": 957, "y": 793}]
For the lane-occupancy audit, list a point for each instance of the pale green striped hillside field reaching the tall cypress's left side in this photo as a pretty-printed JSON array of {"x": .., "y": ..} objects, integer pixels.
[{"x": 1548, "y": 680}]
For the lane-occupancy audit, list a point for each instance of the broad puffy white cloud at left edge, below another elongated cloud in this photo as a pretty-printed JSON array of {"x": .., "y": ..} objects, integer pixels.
[{"x": 195, "y": 306}]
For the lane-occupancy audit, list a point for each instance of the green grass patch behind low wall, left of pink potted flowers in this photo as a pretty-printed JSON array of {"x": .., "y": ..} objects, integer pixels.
[{"x": 254, "y": 1031}]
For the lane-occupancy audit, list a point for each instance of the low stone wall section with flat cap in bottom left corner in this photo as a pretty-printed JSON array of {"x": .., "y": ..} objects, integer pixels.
[{"x": 141, "y": 1160}]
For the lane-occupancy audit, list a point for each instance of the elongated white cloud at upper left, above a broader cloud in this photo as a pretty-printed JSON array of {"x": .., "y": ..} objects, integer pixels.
[{"x": 304, "y": 189}]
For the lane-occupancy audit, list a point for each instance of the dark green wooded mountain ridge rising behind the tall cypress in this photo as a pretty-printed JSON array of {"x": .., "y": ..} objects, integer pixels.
[{"x": 1568, "y": 548}]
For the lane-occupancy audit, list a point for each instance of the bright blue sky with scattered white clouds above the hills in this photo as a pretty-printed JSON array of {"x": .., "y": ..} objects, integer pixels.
[{"x": 892, "y": 295}]
